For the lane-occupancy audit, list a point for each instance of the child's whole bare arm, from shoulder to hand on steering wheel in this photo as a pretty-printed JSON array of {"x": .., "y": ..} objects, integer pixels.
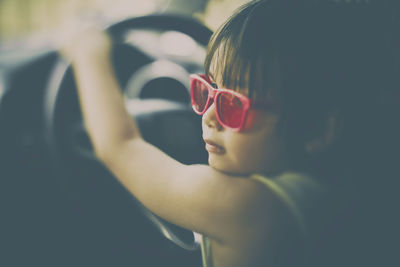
[{"x": 195, "y": 197}]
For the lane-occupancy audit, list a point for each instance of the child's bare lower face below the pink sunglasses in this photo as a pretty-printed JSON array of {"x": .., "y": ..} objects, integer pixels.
[{"x": 256, "y": 149}]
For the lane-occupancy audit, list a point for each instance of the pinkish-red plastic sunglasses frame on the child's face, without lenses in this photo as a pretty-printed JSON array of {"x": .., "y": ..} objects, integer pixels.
[{"x": 213, "y": 94}]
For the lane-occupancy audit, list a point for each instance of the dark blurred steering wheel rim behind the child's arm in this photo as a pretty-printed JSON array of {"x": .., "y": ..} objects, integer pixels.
[{"x": 186, "y": 25}]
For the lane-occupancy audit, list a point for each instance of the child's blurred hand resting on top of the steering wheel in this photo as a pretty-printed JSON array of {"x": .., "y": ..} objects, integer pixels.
[{"x": 89, "y": 44}]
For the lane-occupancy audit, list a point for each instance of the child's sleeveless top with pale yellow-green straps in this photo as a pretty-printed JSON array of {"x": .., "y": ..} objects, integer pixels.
[{"x": 300, "y": 193}]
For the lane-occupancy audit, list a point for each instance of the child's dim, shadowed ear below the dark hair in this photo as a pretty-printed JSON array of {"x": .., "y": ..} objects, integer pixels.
[{"x": 331, "y": 131}]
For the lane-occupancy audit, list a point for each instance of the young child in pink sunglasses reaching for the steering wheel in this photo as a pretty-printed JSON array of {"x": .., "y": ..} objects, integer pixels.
[{"x": 278, "y": 112}]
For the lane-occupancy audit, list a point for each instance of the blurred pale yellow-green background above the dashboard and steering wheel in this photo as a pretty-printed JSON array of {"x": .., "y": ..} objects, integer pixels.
[{"x": 33, "y": 22}]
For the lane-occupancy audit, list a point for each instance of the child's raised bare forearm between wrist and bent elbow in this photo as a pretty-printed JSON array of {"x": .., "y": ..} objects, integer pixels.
[{"x": 106, "y": 119}]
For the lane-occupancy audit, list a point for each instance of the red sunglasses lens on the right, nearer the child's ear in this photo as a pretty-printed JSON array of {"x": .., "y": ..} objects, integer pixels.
[{"x": 230, "y": 109}]
